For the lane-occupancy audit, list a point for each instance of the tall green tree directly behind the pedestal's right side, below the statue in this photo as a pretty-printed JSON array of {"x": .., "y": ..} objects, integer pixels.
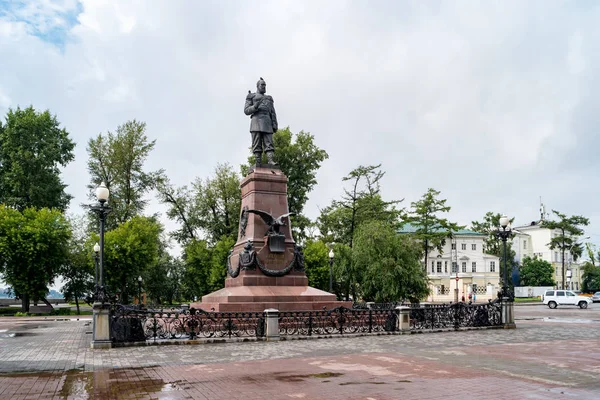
[{"x": 299, "y": 159}]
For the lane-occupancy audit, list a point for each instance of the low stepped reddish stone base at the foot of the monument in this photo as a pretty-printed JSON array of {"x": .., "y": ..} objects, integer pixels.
[{"x": 260, "y": 298}]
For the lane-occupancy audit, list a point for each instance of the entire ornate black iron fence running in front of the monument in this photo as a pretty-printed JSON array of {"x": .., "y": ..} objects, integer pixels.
[{"x": 135, "y": 324}]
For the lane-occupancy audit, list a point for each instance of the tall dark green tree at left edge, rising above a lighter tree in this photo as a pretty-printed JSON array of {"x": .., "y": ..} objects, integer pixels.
[{"x": 33, "y": 147}]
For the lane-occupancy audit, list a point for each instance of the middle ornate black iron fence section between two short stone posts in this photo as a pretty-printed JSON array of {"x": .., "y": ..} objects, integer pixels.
[{"x": 340, "y": 320}]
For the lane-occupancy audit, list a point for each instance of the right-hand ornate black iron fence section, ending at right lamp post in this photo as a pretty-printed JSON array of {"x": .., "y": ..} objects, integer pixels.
[{"x": 456, "y": 315}]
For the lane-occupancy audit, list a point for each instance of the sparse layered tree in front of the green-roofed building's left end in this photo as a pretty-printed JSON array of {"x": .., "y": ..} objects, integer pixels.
[{"x": 431, "y": 229}]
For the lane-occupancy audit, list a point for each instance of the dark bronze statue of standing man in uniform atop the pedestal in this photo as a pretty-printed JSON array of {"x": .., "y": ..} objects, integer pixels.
[{"x": 263, "y": 121}]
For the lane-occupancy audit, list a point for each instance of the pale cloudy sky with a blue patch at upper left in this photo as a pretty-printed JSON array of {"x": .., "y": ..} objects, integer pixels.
[{"x": 492, "y": 102}]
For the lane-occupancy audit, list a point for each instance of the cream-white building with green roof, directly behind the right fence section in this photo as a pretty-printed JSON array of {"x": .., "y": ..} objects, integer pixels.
[{"x": 461, "y": 265}]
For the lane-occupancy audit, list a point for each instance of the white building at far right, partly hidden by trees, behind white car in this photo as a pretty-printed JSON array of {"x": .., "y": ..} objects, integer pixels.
[{"x": 533, "y": 241}]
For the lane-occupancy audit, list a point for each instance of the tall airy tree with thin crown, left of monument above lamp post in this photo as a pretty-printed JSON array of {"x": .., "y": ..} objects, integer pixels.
[{"x": 117, "y": 159}]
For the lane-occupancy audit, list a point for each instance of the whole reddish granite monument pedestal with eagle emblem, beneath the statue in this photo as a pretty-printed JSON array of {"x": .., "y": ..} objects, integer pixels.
[{"x": 265, "y": 269}]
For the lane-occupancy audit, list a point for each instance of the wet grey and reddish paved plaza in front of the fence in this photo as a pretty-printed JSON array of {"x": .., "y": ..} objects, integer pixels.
[{"x": 553, "y": 354}]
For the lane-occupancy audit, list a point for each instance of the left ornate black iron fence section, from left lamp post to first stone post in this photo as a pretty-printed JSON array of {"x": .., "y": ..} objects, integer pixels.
[{"x": 132, "y": 324}]
